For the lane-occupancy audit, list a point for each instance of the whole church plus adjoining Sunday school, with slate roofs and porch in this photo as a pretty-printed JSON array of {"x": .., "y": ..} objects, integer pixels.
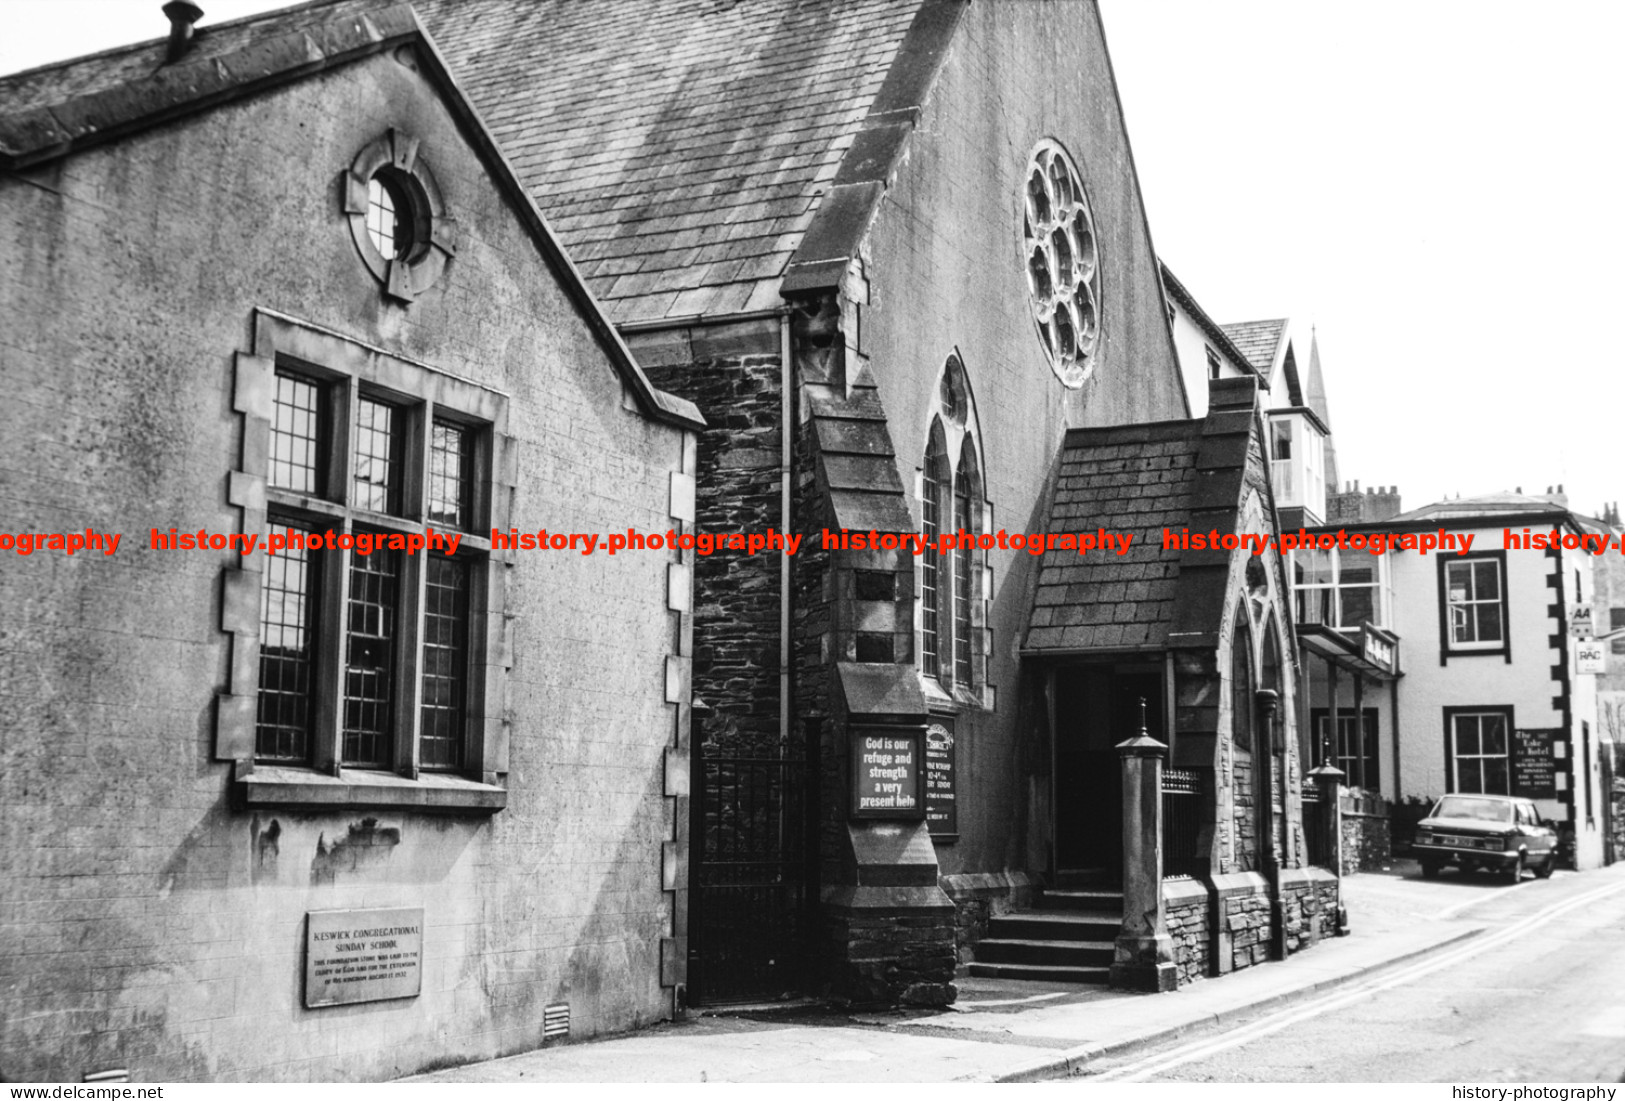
[{"x": 872, "y": 274}]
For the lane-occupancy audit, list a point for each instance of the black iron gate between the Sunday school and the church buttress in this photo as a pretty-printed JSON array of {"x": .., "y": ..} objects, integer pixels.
[{"x": 752, "y": 900}]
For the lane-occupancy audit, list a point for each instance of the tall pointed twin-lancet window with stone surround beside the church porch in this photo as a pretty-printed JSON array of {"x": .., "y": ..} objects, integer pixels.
[{"x": 960, "y": 431}]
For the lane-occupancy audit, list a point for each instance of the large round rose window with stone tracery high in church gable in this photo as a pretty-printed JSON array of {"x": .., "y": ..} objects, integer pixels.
[{"x": 1064, "y": 280}]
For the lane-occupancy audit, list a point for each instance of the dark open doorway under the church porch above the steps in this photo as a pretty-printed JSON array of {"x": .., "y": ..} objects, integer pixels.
[{"x": 1098, "y": 707}]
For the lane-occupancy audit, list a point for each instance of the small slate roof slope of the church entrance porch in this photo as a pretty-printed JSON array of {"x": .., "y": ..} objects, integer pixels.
[{"x": 1125, "y": 480}]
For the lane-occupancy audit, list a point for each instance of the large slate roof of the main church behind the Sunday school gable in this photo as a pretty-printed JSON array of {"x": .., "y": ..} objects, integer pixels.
[{"x": 680, "y": 149}]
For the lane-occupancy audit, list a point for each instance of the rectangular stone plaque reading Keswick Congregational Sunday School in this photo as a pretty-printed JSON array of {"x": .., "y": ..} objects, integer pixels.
[{"x": 363, "y": 956}]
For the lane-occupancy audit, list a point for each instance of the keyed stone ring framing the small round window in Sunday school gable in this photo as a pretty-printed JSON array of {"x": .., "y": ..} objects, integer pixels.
[{"x": 397, "y": 153}]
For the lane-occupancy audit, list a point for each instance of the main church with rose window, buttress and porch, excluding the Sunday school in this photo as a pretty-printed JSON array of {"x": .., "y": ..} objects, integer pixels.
[{"x": 898, "y": 256}]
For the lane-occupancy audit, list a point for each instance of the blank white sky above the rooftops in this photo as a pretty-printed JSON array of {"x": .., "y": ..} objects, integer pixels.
[{"x": 1432, "y": 184}]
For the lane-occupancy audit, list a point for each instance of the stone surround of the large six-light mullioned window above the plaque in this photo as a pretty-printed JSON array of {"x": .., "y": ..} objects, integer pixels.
[{"x": 327, "y": 785}]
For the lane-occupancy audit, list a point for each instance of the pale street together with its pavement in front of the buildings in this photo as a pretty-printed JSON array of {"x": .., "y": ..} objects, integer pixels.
[{"x": 1450, "y": 980}]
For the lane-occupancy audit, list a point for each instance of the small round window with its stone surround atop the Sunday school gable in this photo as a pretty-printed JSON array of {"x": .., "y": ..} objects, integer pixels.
[{"x": 397, "y": 217}]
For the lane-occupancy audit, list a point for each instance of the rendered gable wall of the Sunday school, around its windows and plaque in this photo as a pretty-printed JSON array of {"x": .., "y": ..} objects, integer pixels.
[{"x": 145, "y": 923}]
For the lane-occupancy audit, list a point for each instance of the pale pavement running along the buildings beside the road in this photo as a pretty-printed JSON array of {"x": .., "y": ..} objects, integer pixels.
[{"x": 1007, "y": 1030}]
